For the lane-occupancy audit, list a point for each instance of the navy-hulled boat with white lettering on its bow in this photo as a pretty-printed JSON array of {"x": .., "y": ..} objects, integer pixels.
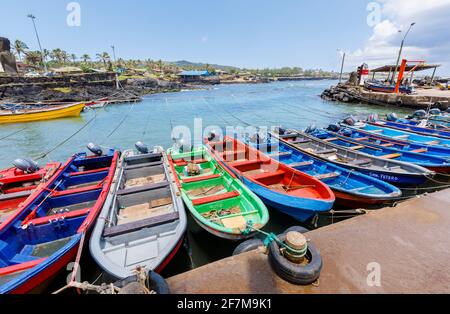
[{"x": 382, "y": 168}]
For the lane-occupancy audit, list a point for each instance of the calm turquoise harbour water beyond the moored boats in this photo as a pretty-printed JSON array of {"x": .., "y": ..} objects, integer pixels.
[{"x": 291, "y": 104}]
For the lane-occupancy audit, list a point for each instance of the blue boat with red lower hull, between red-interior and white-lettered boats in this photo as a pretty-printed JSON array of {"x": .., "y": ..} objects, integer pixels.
[{"x": 352, "y": 189}]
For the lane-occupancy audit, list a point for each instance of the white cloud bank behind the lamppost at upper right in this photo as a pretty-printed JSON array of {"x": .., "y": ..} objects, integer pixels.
[{"x": 429, "y": 39}]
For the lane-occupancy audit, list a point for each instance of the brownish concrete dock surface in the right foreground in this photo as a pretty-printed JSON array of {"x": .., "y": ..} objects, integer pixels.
[{"x": 410, "y": 243}]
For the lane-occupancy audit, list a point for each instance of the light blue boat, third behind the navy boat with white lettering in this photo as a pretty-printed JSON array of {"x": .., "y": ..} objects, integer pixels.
[{"x": 404, "y": 135}]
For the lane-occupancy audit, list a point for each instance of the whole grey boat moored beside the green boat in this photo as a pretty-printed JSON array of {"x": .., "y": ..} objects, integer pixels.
[{"x": 143, "y": 221}]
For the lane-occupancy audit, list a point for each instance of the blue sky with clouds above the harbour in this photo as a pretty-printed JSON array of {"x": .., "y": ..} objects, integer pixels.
[{"x": 243, "y": 33}]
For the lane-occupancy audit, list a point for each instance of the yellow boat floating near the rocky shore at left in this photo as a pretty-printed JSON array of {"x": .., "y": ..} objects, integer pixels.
[{"x": 30, "y": 115}]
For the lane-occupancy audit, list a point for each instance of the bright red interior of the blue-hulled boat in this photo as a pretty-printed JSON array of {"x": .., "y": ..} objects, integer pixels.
[{"x": 265, "y": 171}]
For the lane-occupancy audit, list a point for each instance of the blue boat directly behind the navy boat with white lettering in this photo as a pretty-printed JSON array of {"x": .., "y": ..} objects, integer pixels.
[{"x": 435, "y": 164}]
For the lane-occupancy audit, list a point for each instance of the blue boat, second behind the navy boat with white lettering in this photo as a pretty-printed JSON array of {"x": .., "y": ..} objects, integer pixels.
[{"x": 378, "y": 140}]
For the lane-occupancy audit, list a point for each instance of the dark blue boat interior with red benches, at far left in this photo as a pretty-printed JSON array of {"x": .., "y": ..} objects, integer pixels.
[{"x": 52, "y": 220}]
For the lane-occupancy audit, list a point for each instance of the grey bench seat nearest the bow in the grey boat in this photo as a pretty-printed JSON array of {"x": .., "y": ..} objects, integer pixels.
[{"x": 141, "y": 224}]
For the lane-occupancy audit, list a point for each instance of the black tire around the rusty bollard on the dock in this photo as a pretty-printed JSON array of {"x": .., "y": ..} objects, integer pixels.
[{"x": 293, "y": 273}]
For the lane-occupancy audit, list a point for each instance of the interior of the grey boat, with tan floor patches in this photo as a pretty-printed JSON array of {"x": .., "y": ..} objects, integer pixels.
[{"x": 143, "y": 197}]
